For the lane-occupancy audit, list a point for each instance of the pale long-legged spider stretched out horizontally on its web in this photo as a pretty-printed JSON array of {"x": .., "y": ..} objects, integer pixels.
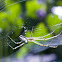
[{"x": 25, "y": 40}]
